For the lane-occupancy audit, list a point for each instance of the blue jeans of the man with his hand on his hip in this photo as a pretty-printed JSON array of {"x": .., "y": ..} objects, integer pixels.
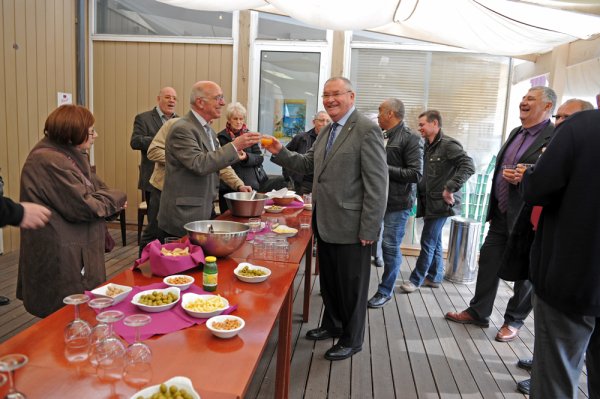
[{"x": 430, "y": 260}]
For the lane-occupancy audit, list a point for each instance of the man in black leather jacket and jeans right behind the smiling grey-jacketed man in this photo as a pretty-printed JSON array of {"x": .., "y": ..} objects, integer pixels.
[{"x": 404, "y": 151}]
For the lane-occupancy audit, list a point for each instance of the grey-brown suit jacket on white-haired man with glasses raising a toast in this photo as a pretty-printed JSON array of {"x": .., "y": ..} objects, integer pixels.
[{"x": 191, "y": 174}]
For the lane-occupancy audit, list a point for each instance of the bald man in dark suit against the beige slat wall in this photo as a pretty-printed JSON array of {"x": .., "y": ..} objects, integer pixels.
[{"x": 145, "y": 127}]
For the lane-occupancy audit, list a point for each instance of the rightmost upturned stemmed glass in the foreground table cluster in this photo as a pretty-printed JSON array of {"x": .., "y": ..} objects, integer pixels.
[{"x": 138, "y": 356}]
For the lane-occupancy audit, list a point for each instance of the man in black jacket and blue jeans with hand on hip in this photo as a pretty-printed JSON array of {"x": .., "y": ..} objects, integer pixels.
[{"x": 446, "y": 168}]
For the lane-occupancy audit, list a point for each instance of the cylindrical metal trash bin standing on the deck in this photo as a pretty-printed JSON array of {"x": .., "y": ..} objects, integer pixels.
[{"x": 461, "y": 265}]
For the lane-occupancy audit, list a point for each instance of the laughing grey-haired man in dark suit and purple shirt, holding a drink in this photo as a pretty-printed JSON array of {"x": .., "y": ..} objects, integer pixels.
[{"x": 524, "y": 146}]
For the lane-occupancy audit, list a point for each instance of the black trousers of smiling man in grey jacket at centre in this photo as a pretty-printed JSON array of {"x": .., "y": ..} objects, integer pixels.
[{"x": 344, "y": 276}]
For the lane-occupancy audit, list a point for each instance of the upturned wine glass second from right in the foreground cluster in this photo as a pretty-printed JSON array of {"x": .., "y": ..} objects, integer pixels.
[{"x": 110, "y": 352}]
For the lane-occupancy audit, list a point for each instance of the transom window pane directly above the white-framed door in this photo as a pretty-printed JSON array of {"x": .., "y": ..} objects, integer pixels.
[{"x": 277, "y": 27}]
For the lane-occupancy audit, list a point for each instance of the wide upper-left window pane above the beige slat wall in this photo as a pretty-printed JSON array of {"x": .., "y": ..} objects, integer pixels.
[{"x": 152, "y": 18}]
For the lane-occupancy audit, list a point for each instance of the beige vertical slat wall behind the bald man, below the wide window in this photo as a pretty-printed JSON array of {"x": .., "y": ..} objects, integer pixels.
[{"x": 127, "y": 77}]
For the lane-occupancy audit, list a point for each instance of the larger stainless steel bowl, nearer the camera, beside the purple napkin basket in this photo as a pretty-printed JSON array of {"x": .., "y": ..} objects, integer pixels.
[{"x": 225, "y": 238}]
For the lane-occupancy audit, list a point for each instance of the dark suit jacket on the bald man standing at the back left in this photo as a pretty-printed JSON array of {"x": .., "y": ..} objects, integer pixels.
[{"x": 145, "y": 127}]
